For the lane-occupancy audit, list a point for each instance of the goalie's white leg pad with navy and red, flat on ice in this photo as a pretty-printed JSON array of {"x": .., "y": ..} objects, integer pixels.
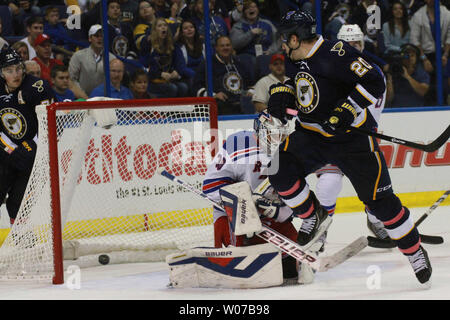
[{"x": 244, "y": 267}]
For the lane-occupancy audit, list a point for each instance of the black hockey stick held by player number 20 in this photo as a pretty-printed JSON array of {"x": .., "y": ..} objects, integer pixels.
[{"x": 431, "y": 147}]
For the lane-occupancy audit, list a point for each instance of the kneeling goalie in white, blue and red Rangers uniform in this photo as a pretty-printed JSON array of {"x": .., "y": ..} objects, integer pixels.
[{"x": 237, "y": 178}]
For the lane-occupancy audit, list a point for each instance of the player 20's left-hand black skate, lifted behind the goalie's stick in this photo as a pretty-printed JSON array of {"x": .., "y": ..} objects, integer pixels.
[{"x": 314, "y": 226}]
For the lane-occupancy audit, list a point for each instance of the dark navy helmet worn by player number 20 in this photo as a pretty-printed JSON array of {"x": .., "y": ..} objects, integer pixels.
[{"x": 300, "y": 23}]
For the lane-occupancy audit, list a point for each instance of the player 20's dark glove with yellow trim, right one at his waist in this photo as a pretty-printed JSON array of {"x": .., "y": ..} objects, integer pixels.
[{"x": 340, "y": 118}]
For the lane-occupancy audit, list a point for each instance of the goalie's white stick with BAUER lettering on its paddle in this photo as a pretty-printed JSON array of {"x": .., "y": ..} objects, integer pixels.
[{"x": 284, "y": 244}]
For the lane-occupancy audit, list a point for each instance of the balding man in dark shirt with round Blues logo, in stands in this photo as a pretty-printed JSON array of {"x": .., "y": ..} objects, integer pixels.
[{"x": 231, "y": 83}]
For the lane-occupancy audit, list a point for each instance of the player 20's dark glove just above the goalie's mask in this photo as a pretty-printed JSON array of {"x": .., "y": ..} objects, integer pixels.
[{"x": 281, "y": 97}]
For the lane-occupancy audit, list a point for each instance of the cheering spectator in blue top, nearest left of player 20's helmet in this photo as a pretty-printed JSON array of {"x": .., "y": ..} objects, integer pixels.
[{"x": 253, "y": 35}]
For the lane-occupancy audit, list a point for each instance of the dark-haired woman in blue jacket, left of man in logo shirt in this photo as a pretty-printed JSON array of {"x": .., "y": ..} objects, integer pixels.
[{"x": 189, "y": 52}]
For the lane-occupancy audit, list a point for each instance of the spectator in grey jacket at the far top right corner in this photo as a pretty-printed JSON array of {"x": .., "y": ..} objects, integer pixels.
[{"x": 422, "y": 31}]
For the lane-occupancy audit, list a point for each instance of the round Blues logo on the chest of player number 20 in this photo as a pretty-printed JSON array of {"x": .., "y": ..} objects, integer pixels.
[{"x": 307, "y": 92}]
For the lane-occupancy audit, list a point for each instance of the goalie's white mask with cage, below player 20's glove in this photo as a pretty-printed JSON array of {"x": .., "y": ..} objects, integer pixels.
[{"x": 271, "y": 132}]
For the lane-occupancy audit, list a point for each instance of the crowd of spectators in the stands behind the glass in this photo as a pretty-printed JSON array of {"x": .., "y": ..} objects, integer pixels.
[{"x": 157, "y": 47}]
